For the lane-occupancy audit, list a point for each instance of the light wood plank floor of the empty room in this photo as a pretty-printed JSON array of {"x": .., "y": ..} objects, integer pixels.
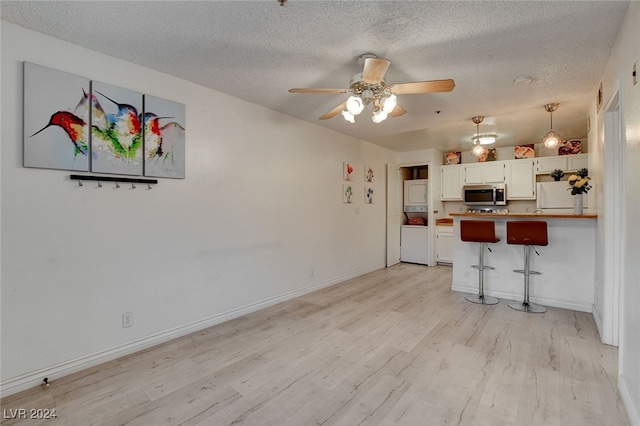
[{"x": 392, "y": 347}]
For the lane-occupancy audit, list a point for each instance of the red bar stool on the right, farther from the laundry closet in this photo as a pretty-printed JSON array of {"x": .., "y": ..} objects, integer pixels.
[{"x": 528, "y": 234}]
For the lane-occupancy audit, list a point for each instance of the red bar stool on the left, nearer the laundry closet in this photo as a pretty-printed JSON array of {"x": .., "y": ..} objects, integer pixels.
[{"x": 483, "y": 232}]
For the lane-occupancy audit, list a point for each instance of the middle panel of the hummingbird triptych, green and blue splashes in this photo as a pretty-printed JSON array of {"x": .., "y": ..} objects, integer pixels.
[{"x": 116, "y": 130}]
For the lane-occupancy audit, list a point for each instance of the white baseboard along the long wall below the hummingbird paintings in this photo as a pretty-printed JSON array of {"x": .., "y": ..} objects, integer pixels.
[{"x": 35, "y": 378}]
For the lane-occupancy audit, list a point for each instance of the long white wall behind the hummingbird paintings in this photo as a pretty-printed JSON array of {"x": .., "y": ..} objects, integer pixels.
[{"x": 261, "y": 208}]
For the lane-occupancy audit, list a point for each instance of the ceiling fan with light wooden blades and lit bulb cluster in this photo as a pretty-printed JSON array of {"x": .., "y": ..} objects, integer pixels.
[{"x": 370, "y": 88}]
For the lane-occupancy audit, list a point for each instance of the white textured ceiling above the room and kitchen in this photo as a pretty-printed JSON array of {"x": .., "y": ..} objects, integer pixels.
[{"x": 257, "y": 50}]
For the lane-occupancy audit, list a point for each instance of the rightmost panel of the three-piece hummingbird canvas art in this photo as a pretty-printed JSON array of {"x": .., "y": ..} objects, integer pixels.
[{"x": 164, "y": 141}]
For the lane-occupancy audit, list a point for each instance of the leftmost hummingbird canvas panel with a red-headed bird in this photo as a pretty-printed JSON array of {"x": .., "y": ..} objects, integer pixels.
[{"x": 56, "y": 119}]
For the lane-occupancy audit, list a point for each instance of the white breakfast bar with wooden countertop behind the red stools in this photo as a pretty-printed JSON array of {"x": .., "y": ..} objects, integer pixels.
[{"x": 567, "y": 263}]
